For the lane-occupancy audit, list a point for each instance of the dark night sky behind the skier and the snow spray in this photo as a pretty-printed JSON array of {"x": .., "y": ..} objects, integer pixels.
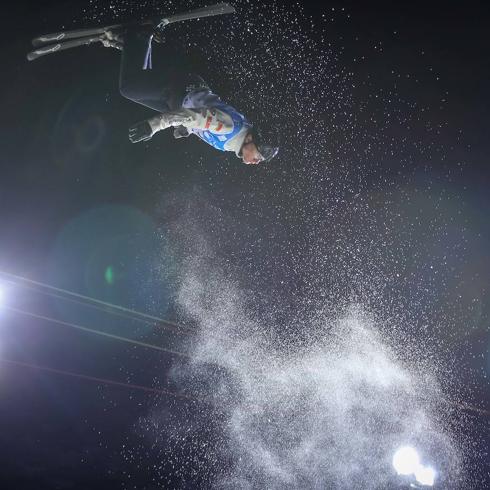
[{"x": 70, "y": 179}]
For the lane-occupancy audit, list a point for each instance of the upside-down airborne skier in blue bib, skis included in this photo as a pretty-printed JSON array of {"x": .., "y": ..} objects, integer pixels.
[{"x": 184, "y": 101}]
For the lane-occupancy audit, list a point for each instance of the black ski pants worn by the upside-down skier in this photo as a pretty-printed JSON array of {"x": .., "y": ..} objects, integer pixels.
[{"x": 162, "y": 87}]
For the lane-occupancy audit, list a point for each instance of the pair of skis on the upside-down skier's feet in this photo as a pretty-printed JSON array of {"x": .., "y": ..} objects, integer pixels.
[{"x": 60, "y": 41}]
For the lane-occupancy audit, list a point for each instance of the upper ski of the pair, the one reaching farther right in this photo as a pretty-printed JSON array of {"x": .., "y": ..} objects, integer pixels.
[{"x": 56, "y": 37}]
